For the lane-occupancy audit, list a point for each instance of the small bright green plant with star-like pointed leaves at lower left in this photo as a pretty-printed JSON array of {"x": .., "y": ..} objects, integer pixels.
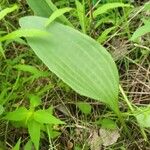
[{"x": 34, "y": 119}]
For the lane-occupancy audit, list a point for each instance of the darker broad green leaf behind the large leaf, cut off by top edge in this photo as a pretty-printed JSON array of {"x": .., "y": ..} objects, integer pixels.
[{"x": 45, "y": 8}]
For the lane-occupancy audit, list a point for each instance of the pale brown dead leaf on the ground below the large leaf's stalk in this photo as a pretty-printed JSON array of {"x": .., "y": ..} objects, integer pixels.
[{"x": 109, "y": 137}]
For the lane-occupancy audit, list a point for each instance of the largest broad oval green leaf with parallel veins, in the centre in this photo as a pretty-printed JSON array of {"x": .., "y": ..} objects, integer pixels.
[{"x": 77, "y": 59}]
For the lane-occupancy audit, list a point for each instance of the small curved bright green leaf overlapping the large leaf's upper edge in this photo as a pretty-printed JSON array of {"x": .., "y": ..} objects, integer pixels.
[{"x": 57, "y": 13}]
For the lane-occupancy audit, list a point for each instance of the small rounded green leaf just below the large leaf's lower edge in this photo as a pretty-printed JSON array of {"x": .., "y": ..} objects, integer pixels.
[{"x": 84, "y": 107}]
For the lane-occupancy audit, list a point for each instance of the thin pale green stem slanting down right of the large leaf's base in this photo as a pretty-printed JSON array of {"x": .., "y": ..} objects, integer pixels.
[{"x": 132, "y": 110}]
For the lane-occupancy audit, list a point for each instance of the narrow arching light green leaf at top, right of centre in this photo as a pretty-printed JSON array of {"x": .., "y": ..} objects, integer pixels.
[{"x": 104, "y": 8}]
